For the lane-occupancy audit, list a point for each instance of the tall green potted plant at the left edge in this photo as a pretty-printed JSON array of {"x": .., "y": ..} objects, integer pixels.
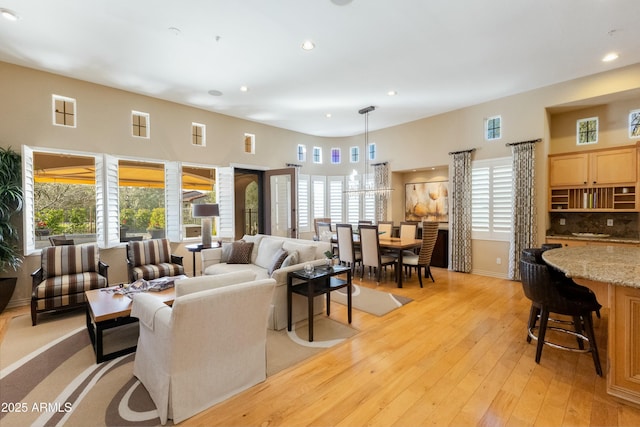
[{"x": 11, "y": 198}]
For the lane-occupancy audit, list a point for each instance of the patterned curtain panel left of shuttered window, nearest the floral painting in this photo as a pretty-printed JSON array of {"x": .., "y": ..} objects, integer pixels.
[{"x": 460, "y": 215}]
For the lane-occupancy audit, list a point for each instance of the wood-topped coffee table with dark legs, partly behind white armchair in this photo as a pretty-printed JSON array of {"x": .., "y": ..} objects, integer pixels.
[{"x": 107, "y": 310}]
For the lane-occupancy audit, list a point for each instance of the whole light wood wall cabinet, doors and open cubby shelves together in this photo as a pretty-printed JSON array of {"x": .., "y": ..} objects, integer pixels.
[{"x": 603, "y": 180}]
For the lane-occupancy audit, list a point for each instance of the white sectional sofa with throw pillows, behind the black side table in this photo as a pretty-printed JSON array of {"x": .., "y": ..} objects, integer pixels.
[{"x": 265, "y": 248}]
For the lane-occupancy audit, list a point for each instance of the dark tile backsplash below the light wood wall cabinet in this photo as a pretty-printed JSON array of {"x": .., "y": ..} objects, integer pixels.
[{"x": 625, "y": 224}]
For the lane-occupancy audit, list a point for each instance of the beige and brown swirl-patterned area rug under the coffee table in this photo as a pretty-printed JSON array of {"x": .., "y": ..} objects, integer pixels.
[{"x": 48, "y": 374}]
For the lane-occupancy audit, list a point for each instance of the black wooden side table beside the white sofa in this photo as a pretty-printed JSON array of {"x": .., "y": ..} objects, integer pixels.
[{"x": 322, "y": 280}]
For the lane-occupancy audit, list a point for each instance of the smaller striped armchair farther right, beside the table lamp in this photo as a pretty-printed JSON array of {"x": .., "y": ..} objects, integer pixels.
[{"x": 151, "y": 259}]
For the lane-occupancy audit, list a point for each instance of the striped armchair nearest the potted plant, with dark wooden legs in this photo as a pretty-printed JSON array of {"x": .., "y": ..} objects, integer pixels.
[{"x": 65, "y": 273}]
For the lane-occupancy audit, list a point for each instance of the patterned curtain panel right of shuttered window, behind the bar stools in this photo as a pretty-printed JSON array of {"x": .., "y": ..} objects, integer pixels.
[{"x": 524, "y": 222}]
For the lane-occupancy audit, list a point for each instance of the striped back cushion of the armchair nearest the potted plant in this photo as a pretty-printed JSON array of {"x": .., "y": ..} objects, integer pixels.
[{"x": 70, "y": 259}]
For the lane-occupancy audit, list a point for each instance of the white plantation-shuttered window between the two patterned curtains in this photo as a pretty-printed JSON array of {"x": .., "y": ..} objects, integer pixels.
[{"x": 491, "y": 199}]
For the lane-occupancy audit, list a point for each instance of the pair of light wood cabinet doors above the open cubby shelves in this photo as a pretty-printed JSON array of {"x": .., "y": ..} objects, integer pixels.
[{"x": 594, "y": 168}]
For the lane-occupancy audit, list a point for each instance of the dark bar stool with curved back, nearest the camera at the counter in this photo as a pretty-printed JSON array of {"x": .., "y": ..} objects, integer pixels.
[{"x": 548, "y": 298}]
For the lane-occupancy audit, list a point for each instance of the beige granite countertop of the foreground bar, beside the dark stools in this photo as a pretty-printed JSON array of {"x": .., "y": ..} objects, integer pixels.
[{"x": 616, "y": 265}]
